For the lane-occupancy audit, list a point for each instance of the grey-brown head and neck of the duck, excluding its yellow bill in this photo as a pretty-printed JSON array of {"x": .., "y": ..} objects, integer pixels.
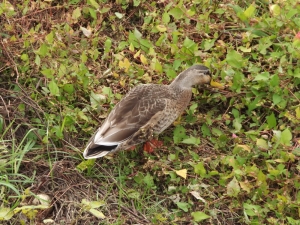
[{"x": 197, "y": 74}]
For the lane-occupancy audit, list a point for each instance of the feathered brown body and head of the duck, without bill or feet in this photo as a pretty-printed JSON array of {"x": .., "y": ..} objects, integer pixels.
[{"x": 146, "y": 110}]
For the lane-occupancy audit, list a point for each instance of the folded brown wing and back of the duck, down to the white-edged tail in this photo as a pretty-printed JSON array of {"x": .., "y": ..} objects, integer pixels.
[{"x": 133, "y": 112}]
